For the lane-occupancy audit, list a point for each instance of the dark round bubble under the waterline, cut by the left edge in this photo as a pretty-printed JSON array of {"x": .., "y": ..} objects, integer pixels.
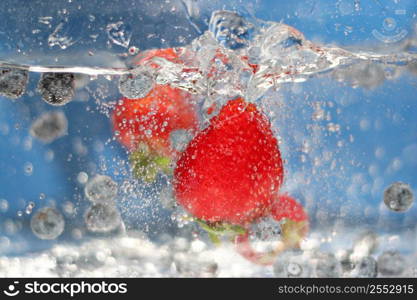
[{"x": 13, "y": 82}]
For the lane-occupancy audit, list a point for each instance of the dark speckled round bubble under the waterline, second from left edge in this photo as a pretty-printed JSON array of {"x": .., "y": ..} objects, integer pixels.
[{"x": 57, "y": 88}]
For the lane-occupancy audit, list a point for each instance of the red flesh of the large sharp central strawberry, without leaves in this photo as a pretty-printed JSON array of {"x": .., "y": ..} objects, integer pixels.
[{"x": 230, "y": 171}]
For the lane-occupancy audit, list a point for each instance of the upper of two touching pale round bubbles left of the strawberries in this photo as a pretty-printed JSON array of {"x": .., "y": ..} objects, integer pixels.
[{"x": 101, "y": 189}]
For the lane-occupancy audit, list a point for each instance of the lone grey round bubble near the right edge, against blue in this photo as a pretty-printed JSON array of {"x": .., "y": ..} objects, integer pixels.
[{"x": 398, "y": 197}]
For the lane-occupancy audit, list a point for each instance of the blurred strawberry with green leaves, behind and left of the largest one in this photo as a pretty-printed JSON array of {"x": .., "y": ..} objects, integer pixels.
[{"x": 145, "y": 125}]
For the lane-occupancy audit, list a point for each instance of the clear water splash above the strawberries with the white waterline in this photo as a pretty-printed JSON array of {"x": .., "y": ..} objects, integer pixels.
[{"x": 238, "y": 58}]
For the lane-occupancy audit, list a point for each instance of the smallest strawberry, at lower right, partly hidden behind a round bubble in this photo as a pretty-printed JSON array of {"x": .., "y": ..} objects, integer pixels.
[{"x": 294, "y": 228}]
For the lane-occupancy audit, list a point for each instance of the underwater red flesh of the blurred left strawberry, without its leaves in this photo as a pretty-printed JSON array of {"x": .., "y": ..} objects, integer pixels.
[{"x": 152, "y": 119}]
